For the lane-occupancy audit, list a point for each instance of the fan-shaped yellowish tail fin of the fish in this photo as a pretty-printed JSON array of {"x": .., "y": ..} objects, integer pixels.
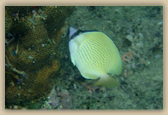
[{"x": 107, "y": 81}]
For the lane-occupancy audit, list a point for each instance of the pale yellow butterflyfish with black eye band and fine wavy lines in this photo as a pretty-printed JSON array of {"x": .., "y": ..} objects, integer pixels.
[{"x": 95, "y": 55}]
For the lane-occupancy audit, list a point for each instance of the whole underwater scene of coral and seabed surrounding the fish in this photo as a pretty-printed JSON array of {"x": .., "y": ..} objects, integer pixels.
[{"x": 40, "y": 75}]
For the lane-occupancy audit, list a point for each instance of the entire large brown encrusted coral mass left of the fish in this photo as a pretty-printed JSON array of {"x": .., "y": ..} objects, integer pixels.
[{"x": 32, "y": 59}]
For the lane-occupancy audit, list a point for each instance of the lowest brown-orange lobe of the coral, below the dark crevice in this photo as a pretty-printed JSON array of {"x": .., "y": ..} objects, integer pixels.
[{"x": 33, "y": 87}]
